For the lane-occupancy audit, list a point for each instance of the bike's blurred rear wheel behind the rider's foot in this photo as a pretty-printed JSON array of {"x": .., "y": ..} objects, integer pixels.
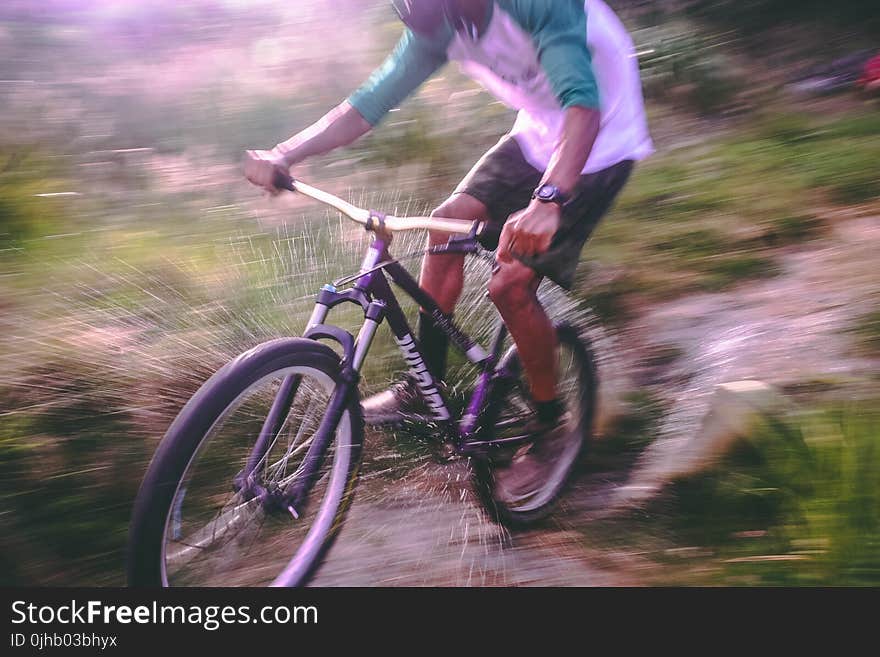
[{"x": 576, "y": 389}]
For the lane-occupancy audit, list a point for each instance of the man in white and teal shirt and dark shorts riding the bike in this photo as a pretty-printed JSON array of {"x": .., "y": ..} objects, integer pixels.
[{"x": 570, "y": 68}]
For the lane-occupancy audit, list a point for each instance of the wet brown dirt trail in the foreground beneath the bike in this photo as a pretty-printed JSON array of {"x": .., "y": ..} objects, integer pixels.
[{"x": 428, "y": 530}]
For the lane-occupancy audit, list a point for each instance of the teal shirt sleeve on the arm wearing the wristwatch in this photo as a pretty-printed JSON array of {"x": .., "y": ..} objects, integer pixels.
[{"x": 559, "y": 31}]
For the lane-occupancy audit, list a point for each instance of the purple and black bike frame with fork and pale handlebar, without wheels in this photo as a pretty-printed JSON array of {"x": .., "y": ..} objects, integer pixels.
[{"x": 373, "y": 293}]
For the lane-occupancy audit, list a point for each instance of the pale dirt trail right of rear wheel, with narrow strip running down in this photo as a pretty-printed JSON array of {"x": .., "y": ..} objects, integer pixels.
[{"x": 793, "y": 331}]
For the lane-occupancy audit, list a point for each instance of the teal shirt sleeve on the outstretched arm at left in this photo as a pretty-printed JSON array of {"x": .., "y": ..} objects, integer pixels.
[{"x": 413, "y": 61}]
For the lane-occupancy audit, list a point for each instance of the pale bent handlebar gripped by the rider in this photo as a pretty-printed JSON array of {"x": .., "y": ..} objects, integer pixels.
[{"x": 375, "y": 221}]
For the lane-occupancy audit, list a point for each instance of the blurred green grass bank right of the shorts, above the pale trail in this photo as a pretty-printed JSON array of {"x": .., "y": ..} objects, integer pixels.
[{"x": 711, "y": 215}]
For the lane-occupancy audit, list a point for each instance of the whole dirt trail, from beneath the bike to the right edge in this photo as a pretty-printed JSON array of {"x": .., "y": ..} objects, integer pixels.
[{"x": 426, "y": 529}]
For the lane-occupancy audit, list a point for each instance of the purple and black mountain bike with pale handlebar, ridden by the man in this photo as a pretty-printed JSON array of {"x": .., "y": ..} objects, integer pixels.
[{"x": 252, "y": 481}]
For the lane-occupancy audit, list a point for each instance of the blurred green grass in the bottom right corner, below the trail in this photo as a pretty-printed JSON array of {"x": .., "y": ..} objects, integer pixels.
[{"x": 797, "y": 505}]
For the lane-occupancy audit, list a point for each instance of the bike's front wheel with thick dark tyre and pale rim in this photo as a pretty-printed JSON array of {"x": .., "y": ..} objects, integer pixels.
[{"x": 198, "y": 520}]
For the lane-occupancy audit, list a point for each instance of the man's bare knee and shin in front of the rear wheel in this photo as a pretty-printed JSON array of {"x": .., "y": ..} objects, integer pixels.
[{"x": 513, "y": 289}]
